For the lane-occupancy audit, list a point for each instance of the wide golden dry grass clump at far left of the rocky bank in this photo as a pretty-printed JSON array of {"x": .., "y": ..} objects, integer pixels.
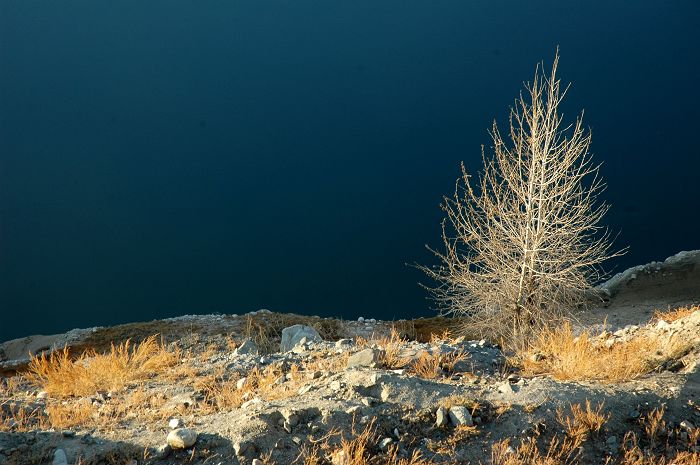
[{"x": 62, "y": 376}]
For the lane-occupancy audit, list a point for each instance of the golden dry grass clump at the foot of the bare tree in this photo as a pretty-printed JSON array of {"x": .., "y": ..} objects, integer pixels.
[{"x": 567, "y": 357}]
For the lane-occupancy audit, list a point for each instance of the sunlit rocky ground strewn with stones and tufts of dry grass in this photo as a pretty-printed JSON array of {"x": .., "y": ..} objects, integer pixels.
[{"x": 266, "y": 388}]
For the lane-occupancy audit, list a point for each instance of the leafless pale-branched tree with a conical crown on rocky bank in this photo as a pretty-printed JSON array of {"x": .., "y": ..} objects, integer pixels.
[{"x": 522, "y": 249}]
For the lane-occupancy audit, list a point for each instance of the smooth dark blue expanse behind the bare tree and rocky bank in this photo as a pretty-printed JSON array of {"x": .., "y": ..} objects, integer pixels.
[{"x": 169, "y": 157}]
